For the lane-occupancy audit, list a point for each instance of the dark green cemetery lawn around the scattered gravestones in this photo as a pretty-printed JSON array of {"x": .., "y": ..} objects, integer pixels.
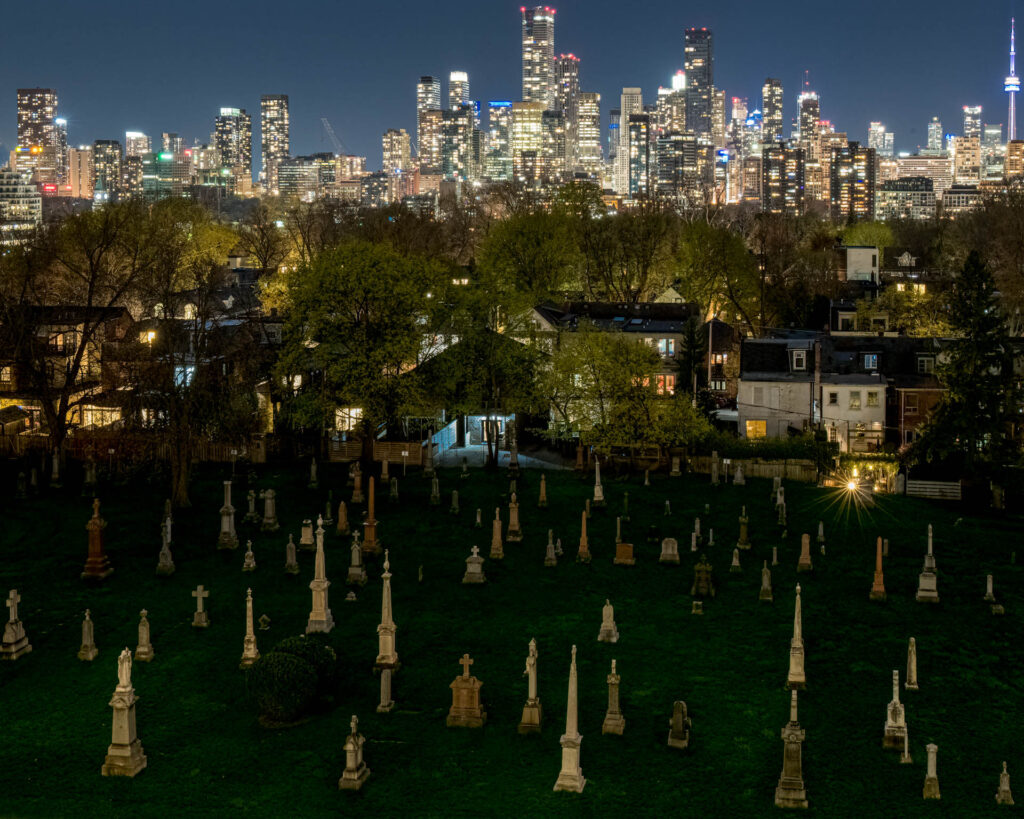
[{"x": 209, "y": 757}]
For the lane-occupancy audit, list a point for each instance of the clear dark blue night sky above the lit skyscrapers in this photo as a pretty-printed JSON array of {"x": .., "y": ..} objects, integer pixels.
[{"x": 153, "y": 68}]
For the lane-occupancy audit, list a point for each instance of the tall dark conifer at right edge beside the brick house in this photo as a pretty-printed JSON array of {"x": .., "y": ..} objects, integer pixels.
[{"x": 974, "y": 422}]
